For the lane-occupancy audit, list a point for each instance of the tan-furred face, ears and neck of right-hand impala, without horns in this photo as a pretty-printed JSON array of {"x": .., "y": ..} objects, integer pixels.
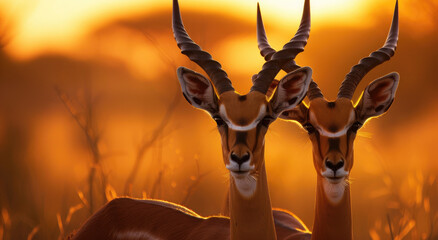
[{"x": 332, "y": 132}]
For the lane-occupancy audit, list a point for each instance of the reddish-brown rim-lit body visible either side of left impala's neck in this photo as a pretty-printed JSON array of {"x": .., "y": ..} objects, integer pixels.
[{"x": 131, "y": 219}]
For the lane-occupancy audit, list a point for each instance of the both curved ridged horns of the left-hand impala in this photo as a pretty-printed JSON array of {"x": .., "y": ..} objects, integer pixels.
[{"x": 276, "y": 61}]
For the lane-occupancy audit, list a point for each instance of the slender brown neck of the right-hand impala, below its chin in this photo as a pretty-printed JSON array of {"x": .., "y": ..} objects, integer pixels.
[{"x": 332, "y": 221}]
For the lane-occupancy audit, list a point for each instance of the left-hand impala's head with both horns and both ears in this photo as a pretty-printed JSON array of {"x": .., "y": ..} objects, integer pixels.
[{"x": 242, "y": 120}]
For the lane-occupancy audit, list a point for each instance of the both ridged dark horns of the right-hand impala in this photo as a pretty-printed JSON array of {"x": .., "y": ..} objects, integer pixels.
[{"x": 356, "y": 73}]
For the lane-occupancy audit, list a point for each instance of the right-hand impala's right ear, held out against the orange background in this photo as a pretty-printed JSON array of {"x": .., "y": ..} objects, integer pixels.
[{"x": 377, "y": 97}]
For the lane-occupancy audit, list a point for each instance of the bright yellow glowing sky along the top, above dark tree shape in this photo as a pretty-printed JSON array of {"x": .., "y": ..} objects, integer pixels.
[{"x": 58, "y": 25}]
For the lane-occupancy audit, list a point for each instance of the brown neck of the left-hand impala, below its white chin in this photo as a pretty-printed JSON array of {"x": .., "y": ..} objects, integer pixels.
[{"x": 251, "y": 218}]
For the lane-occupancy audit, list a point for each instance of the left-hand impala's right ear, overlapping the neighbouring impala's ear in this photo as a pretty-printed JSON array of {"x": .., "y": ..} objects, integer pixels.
[{"x": 291, "y": 90}]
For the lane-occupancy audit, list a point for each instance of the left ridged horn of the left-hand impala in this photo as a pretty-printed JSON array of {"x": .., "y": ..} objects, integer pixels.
[{"x": 189, "y": 48}]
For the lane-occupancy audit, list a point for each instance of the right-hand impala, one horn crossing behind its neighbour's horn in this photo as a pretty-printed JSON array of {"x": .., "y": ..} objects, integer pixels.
[{"x": 332, "y": 128}]
